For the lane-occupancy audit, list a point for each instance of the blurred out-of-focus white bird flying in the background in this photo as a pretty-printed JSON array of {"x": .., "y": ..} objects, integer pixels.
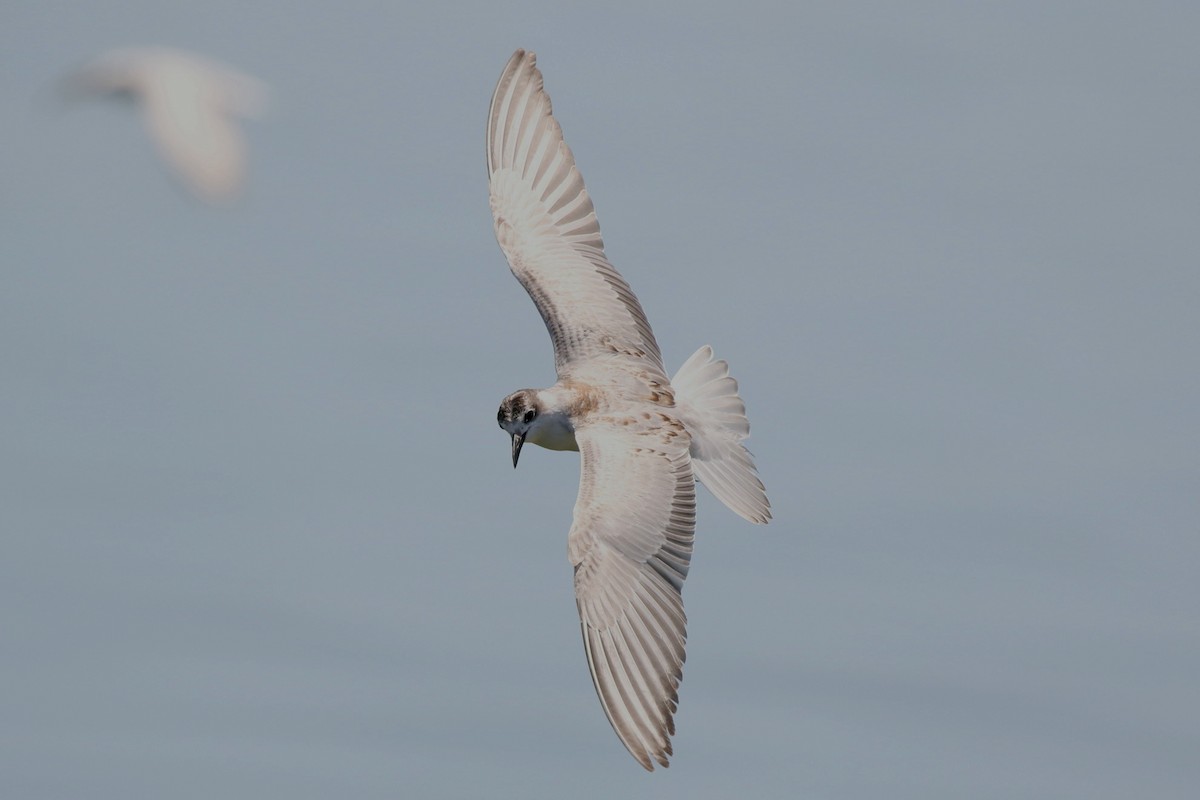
[{"x": 189, "y": 105}]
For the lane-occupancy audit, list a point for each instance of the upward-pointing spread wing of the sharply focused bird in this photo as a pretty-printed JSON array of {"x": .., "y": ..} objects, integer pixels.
[{"x": 549, "y": 231}]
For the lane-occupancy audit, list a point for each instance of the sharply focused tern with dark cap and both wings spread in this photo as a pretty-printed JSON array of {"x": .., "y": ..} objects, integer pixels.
[{"x": 644, "y": 438}]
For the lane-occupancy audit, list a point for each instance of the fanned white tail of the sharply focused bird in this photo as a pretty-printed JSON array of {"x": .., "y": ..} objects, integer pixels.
[{"x": 709, "y": 405}]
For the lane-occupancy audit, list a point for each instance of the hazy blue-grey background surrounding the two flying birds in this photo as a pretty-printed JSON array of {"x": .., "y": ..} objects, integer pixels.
[{"x": 261, "y": 537}]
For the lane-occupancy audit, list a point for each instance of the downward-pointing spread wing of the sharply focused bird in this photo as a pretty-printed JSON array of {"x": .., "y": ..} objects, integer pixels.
[{"x": 631, "y": 545}]
